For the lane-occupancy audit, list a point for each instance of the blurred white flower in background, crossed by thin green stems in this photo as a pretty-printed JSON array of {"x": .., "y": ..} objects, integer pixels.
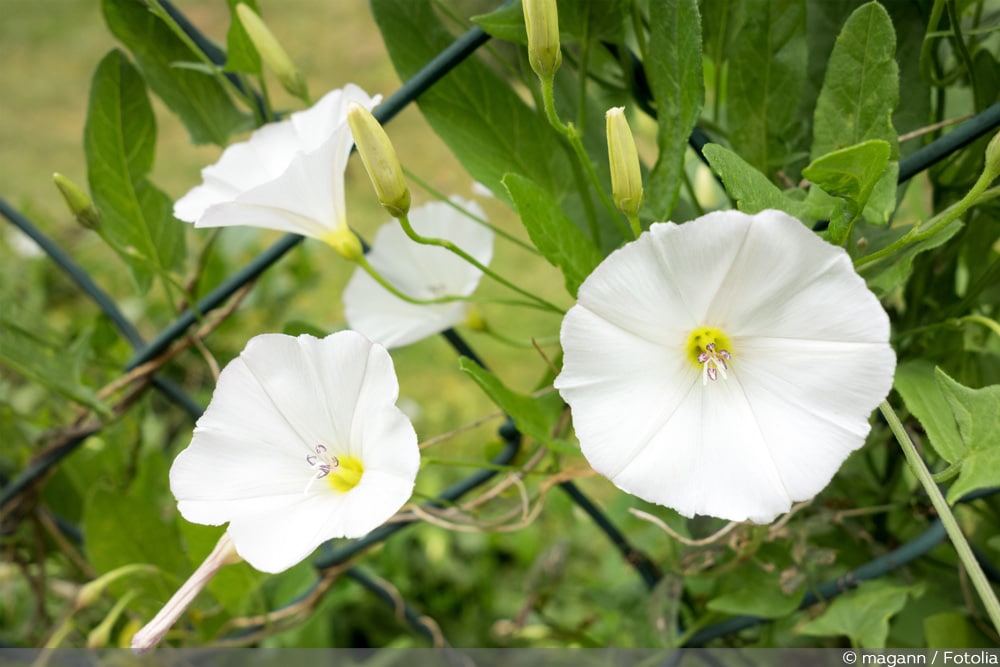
[{"x": 419, "y": 271}]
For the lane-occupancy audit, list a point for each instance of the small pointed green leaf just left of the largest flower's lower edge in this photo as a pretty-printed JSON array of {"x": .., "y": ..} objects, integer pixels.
[{"x": 534, "y": 417}]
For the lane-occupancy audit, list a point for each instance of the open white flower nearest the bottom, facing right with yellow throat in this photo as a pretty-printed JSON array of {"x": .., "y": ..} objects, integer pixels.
[{"x": 302, "y": 442}]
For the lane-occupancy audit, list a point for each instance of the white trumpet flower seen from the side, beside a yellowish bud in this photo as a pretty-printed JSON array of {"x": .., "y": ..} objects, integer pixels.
[{"x": 288, "y": 176}]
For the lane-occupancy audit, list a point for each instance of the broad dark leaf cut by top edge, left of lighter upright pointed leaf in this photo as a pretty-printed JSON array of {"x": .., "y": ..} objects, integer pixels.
[{"x": 767, "y": 72}]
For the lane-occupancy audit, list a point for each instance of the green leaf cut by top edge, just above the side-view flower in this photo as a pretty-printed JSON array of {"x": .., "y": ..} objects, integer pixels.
[{"x": 200, "y": 101}]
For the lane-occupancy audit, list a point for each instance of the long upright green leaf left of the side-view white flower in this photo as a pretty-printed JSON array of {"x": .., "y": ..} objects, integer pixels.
[{"x": 120, "y": 140}]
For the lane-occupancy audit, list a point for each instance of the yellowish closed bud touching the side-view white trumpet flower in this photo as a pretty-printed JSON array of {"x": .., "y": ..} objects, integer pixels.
[{"x": 380, "y": 160}]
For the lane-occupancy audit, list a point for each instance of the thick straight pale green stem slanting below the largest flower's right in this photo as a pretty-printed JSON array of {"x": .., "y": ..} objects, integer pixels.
[{"x": 979, "y": 581}]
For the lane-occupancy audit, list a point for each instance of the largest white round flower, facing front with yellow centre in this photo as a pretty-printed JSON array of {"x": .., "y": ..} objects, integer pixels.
[{"x": 726, "y": 366}]
